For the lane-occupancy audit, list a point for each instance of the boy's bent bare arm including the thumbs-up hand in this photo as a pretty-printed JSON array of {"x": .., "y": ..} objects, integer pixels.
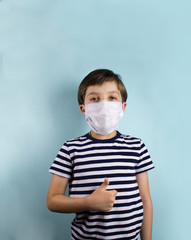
[{"x": 100, "y": 199}]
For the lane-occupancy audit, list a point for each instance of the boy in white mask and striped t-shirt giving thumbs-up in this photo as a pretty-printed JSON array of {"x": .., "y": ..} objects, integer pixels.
[{"x": 106, "y": 171}]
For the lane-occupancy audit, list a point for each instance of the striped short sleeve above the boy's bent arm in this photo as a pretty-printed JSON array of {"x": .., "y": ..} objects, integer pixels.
[{"x": 62, "y": 165}]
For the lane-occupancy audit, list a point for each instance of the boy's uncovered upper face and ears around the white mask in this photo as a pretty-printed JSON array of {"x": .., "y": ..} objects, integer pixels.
[{"x": 107, "y": 91}]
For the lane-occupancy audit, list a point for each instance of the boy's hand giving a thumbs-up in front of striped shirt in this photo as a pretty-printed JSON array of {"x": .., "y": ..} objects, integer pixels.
[{"x": 101, "y": 199}]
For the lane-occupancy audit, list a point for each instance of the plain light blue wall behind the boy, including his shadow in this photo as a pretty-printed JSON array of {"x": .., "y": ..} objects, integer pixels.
[{"x": 46, "y": 48}]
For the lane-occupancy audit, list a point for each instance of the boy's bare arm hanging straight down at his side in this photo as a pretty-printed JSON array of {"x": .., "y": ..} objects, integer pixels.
[{"x": 143, "y": 183}]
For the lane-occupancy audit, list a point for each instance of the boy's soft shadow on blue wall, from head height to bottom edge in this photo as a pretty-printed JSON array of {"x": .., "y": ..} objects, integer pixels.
[{"x": 67, "y": 122}]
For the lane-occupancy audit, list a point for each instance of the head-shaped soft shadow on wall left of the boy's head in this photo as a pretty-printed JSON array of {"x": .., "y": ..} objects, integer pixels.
[{"x": 65, "y": 113}]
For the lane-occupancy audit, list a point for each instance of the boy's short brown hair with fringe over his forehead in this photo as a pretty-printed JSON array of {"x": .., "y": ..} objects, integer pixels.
[{"x": 98, "y": 77}]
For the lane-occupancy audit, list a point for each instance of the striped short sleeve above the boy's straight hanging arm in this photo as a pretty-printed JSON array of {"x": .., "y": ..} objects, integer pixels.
[{"x": 145, "y": 163}]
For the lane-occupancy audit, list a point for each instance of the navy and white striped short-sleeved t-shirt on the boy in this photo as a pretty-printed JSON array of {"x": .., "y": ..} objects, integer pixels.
[{"x": 86, "y": 162}]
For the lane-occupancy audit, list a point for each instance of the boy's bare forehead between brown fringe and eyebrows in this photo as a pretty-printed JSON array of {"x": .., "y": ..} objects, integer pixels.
[{"x": 105, "y": 88}]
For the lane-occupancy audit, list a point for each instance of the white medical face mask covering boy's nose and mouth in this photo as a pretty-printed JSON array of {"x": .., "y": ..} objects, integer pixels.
[{"x": 103, "y": 117}]
